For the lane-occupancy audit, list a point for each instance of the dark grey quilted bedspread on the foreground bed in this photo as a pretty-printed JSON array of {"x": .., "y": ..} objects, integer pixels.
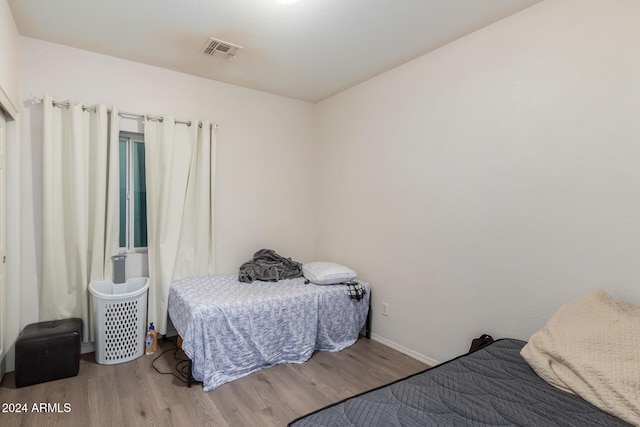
[{"x": 493, "y": 386}]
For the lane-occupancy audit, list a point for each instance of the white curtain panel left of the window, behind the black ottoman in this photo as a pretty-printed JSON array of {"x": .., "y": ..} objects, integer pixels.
[{"x": 79, "y": 207}]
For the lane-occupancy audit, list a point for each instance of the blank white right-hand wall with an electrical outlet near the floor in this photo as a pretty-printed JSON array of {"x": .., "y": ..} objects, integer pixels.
[{"x": 484, "y": 184}]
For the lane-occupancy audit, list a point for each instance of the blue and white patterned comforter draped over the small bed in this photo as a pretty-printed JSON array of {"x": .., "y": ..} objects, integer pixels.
[{"x": 231, "y": 329}]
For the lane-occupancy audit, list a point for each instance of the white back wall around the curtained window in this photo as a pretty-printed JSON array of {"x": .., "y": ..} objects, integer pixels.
[{"x": 264, "y": 150}]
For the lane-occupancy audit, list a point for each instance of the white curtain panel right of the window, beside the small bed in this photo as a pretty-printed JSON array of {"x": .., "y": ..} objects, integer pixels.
[{"x": 180, "y": 171}]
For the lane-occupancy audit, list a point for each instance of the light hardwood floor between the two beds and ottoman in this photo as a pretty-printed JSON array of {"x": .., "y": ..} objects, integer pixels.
[{"x": 134, "y": 394}]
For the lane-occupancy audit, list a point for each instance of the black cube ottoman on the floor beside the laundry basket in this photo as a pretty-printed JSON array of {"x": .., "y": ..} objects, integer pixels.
[{"x": 48, "y": 351}]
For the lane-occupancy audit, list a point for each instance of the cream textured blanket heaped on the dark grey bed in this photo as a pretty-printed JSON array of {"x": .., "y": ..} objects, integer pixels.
[{"x": 591, "y": 347}]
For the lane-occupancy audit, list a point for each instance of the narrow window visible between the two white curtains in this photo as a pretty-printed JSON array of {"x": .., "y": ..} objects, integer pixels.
[{"x": 133, "y": 192}]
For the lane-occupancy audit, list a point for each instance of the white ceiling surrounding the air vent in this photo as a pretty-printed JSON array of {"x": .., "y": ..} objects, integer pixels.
[{"x": 308, "y": 50}]
